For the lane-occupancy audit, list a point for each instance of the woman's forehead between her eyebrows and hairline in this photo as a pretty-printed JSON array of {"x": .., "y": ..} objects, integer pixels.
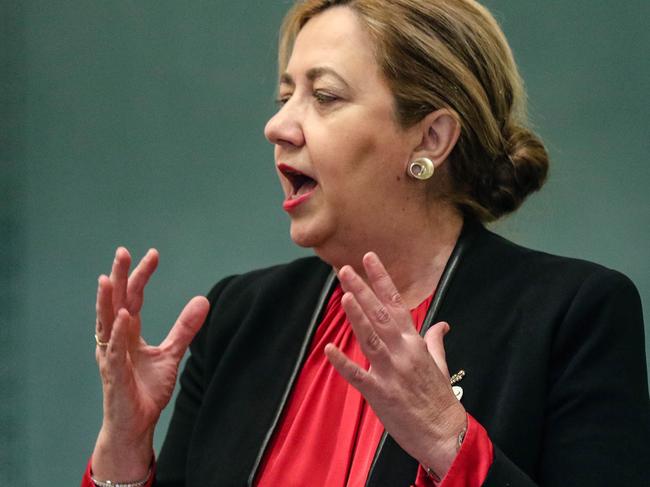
[{"x": 334, "y": 39}]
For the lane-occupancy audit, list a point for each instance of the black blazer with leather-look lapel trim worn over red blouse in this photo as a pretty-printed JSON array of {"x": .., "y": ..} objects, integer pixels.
[{"x": 553, "y": 349}]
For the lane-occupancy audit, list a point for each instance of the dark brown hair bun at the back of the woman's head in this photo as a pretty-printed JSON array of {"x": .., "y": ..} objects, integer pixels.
[{"x": 521, "y": 170}]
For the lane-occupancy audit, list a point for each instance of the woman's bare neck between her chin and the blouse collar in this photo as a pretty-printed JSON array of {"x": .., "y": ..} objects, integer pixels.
[{"x": 415, "y": 260}]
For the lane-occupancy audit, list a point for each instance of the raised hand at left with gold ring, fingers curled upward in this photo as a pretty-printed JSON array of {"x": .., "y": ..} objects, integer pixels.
[{"x": 137, "y": 379}]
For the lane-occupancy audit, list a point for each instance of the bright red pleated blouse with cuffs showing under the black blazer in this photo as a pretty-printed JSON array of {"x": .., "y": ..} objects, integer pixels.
[{"x": 328, "y": 434}]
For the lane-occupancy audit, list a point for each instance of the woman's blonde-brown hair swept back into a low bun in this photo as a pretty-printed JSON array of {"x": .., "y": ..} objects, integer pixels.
[{"x": 451, "y": 54}]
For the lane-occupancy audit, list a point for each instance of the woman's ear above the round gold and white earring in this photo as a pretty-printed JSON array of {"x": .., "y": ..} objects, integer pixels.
[{"x": 440, "y": 132}]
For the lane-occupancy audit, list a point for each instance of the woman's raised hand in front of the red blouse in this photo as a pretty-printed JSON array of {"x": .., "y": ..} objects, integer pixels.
[{"x": 407, "y": 384}]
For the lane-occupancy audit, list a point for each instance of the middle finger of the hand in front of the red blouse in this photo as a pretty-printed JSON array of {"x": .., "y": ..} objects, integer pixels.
[{"x": 377, "y": 314}]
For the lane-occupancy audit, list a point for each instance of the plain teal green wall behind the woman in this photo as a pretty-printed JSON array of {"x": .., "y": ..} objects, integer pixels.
[{"x": 139, "y": 123}]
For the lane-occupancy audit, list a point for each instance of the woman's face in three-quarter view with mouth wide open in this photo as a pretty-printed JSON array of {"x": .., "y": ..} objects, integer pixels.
[{"x": 339, "y": 152}]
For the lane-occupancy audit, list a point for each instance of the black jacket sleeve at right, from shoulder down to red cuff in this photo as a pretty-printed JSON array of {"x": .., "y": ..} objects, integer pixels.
[{"x": 597, "y": 420}]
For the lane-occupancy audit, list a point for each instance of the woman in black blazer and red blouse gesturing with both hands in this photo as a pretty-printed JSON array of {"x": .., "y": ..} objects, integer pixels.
[{"x": 400, "y": 131}]
